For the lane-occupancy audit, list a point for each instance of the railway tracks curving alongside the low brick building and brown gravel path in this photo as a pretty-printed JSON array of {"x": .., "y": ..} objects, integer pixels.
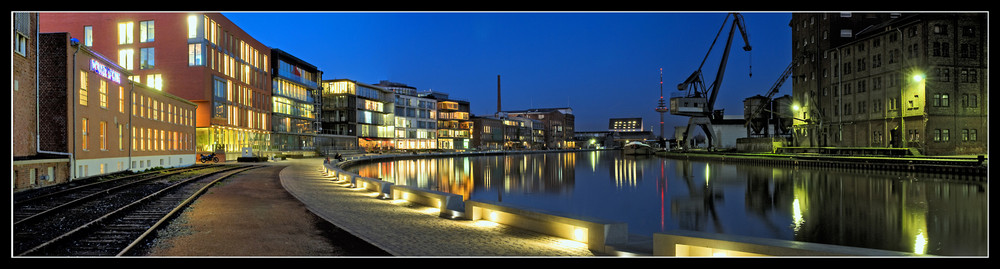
[{"x": 114, "y": 219}]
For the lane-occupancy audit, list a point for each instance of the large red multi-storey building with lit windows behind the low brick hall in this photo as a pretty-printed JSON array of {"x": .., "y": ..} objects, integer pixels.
[{"x": 201, "y": 57}]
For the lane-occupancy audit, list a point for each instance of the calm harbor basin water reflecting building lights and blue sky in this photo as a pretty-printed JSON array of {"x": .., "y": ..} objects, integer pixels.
[{"x": 911, "y": 212}]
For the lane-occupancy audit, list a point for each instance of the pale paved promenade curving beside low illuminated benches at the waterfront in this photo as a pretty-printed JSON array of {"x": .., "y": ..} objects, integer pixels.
[{"x": 407, "y": 230}]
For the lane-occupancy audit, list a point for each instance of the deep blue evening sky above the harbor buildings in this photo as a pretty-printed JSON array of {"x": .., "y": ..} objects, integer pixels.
[{"x": 603, "y": 65}]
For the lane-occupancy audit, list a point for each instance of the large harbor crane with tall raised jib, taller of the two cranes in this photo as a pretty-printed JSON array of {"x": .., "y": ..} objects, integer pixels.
[{"x": 699, "y": 103}]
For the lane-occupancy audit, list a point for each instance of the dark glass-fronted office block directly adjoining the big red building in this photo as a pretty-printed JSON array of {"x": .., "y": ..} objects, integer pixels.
[{"x": 295, "y": 97}]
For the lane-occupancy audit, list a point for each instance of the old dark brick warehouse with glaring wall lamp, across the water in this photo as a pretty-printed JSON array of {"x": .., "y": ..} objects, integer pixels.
[{"x": 894, "y": 80}]
